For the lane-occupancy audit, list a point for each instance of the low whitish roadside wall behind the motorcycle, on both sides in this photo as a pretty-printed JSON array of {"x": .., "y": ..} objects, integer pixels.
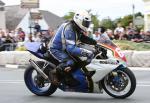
[{"x": 134, "y": 58}]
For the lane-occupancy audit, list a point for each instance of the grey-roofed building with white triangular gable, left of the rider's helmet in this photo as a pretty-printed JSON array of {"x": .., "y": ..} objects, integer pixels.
[{"x": 14, "y": 17}]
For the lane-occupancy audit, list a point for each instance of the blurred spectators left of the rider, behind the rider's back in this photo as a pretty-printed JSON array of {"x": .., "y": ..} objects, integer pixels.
[{"x": 9, "y": 39}]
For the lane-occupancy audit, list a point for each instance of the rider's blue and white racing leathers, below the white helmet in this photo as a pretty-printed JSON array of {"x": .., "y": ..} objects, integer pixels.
[{"x": 65, "y": 41}]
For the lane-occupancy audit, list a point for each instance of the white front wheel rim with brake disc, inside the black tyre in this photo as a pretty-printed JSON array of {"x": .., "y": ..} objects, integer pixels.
[{"x": 118, "y": 85}]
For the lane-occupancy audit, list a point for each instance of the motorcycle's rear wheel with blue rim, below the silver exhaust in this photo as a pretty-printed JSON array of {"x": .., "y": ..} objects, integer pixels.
[{"x": 29, "y": 79}]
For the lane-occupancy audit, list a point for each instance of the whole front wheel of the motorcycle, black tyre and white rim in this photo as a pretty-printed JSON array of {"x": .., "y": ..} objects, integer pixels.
[{"x": 120, "y": 83}]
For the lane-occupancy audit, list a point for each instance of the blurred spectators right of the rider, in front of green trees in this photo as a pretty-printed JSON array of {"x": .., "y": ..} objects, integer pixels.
[{"x": 119, "y": 33}]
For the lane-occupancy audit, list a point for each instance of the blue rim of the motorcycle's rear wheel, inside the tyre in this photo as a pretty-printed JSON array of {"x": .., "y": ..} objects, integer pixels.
[{"x": 32, "y": 82}]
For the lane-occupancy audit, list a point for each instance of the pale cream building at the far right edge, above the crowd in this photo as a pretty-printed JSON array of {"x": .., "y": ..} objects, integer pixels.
[{"x": 147, "y": 15}]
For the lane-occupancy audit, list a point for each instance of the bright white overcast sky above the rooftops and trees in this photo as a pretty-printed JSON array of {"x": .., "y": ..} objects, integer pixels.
[{"x": 104, "y": 8}]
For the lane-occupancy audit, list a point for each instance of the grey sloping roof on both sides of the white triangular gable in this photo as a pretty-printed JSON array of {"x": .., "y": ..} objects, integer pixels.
[{"x": 14, "y": 15}]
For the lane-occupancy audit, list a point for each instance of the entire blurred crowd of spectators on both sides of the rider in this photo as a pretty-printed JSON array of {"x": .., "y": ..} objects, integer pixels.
[{"x": 11, "y": 38}]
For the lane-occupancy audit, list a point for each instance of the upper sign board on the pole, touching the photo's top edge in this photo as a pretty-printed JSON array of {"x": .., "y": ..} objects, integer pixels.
[{"x": 29, "y": 3}]
